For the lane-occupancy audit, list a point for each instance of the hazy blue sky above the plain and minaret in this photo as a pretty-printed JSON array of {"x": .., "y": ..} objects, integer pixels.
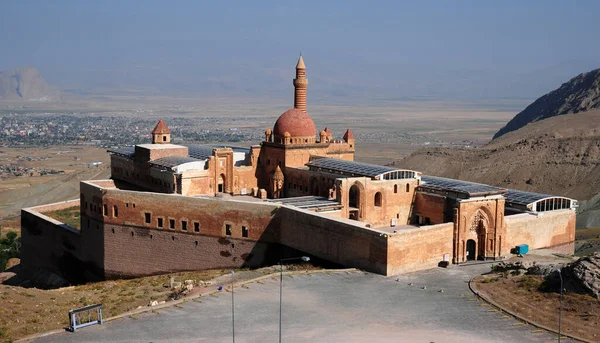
[{"x": 449, "y": 49}]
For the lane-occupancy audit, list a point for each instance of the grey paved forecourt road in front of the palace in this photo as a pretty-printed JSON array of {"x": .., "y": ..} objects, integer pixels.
[{"x": 341, "y": 307}]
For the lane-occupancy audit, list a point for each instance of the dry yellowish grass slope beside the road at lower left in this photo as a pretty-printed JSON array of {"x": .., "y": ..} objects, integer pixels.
[{"x": 27, "y": 311}]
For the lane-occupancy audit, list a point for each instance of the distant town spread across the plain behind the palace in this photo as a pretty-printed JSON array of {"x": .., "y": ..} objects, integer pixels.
[{"x": 18, "y": 129}]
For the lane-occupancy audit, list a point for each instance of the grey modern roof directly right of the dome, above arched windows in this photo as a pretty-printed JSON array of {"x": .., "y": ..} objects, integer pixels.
[{"x": 352, "y": 169}]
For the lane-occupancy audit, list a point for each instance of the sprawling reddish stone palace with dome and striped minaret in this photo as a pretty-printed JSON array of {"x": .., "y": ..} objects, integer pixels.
[{"x": 181, "y": 207}]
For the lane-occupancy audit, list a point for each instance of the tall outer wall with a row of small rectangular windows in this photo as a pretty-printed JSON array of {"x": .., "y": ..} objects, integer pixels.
[{"x": 213, "y": 235}]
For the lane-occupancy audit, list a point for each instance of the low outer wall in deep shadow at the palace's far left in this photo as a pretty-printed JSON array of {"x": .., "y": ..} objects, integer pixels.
[{"x": 50, "y": 244}]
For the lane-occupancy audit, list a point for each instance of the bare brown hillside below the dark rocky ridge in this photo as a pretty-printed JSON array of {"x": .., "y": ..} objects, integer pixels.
[{"x": 559, "y": 156}]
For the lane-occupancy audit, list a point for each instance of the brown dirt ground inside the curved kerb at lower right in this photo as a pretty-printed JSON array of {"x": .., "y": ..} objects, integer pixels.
[{"x": 520, "y": 294}]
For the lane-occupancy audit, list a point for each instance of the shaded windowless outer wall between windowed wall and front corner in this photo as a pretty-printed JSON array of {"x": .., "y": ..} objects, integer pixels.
[{"x": 343, "y": 241}]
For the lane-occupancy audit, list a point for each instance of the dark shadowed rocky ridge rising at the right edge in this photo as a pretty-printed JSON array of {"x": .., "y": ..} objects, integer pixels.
[{"x": 580, "y": 94}]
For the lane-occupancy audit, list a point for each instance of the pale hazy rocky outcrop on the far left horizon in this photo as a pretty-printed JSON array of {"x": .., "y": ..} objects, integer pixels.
[{"x": 25, "y": 84}]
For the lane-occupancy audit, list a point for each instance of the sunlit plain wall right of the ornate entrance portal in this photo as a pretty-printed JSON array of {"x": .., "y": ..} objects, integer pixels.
[{"x": 546, "y": 230}]
